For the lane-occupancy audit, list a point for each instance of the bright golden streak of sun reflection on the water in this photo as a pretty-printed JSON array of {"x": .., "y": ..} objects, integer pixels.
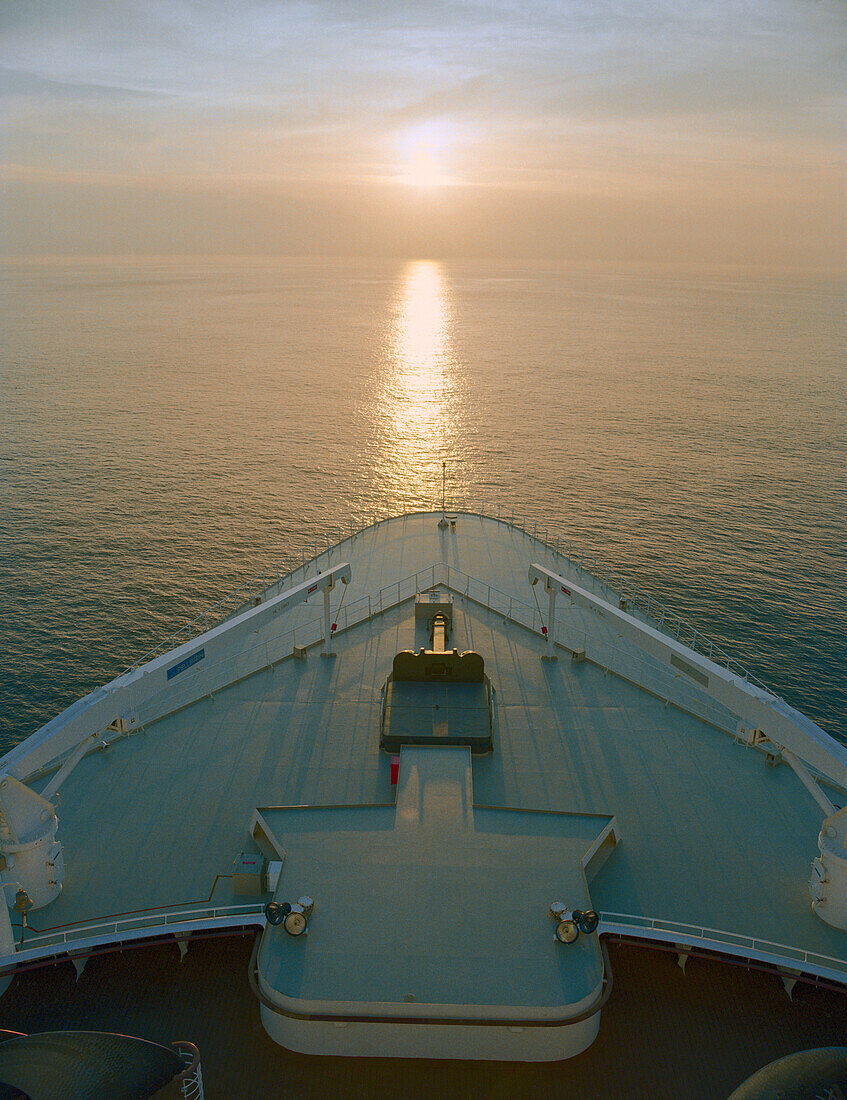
[{"x": 421, "y": 381}]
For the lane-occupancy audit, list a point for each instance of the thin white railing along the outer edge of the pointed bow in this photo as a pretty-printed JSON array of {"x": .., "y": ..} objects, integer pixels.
[{"x": 611, "y": 580}]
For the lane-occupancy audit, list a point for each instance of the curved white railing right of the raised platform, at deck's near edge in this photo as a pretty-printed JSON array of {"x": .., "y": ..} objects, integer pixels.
[{"x": 648, "y": 928}]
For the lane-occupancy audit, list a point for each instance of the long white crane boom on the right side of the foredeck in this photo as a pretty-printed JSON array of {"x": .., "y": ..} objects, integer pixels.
[{"x": 757, "y": 709}]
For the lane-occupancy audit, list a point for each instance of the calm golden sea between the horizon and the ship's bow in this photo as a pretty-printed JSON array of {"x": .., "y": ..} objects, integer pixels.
[{"x": 169, "y": 428}]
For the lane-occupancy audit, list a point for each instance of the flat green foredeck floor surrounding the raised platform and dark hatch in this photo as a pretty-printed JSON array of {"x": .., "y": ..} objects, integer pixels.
[{"x": 716, "y": 846}]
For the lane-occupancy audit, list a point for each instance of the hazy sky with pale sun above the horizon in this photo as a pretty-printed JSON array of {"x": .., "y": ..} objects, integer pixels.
[{"x": 592, "y": 131}]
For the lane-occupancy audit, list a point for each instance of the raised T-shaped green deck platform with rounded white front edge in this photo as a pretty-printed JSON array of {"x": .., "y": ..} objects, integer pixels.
[{"x": 431, "y": 918}]
